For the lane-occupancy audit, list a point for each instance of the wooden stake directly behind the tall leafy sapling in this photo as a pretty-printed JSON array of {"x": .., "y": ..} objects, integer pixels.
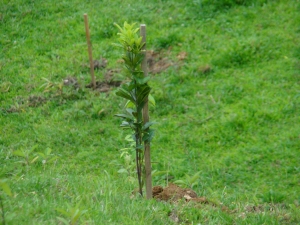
[{"x": 146, "y": 119}]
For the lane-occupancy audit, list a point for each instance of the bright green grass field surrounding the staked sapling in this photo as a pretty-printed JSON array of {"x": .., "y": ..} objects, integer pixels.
[{"x": 228, "y": 110}]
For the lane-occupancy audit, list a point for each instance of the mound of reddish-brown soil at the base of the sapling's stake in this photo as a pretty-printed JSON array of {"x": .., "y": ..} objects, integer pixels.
[{"x": 173, "y": 193}]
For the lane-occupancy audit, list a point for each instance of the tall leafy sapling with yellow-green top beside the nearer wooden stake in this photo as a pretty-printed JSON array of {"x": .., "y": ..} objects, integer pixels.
[{"x": 136, "y": 92}]
